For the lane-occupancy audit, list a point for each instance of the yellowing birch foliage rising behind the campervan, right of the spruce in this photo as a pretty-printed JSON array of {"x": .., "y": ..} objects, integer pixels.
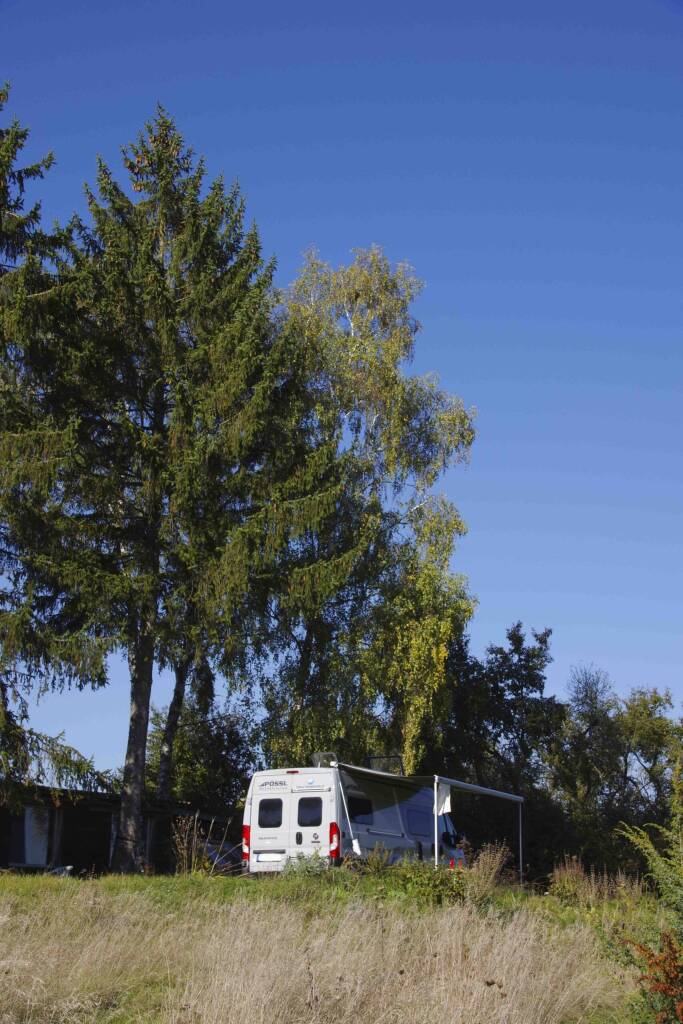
[{"x": 362, "y": 666}]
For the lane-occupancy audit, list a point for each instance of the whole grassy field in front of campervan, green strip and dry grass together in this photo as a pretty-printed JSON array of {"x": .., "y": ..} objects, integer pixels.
[{"x": 321, "y": 948}]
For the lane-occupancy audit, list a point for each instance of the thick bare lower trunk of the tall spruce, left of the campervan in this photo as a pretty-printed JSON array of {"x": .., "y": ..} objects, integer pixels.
[{"x": 130, "y": 854}]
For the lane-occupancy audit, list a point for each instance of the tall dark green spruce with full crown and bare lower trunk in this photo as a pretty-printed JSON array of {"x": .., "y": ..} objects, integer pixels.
[{"x": 166, "y": 444}]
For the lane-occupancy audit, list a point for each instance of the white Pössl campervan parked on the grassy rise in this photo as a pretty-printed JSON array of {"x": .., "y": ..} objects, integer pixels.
[{"x": 337, "y": 810}]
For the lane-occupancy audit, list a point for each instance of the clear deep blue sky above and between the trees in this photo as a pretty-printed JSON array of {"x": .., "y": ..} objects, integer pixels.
[{"x": 528, "y": 159}]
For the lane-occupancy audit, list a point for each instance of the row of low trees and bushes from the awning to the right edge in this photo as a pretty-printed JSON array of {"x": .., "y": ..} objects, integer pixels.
[{"x": 583, "y": 766}]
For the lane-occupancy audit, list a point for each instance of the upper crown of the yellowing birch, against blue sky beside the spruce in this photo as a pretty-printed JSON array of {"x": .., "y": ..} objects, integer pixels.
[{"x": 359, "y": 322}]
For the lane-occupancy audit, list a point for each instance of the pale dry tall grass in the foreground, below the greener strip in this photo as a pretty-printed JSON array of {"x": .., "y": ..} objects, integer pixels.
[{"x": 87, "y": 954}]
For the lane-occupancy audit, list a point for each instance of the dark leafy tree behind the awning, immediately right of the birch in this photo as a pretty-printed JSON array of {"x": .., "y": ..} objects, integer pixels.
[{"x": 492, "y": 730}]
